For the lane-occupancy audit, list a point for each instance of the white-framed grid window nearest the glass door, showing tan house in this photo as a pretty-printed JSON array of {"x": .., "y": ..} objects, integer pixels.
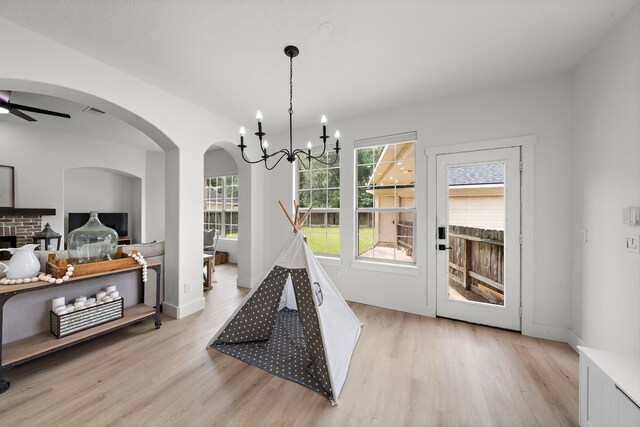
[{"x": 385, "y": 198}]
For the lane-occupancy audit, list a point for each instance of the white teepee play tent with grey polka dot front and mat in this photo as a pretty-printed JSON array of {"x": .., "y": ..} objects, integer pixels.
[{"x": 294, "y": 324}]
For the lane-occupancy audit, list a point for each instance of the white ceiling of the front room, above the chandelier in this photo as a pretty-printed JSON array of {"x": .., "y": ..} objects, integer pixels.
[{"x": 227, "y": 55}]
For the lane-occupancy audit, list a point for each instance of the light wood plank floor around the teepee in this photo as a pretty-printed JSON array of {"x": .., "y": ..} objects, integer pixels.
[{"x": 407, "y": 370}]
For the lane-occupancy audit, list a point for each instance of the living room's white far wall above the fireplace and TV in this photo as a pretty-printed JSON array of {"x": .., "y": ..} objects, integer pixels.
[{"x": 46, "y": 161}]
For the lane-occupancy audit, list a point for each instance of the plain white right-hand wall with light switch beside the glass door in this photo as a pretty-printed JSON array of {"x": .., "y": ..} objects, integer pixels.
[{"x": 606, "y": 178}]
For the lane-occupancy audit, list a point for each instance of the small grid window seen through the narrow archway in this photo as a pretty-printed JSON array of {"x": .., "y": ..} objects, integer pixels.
[{"x": 221, "y": 205}]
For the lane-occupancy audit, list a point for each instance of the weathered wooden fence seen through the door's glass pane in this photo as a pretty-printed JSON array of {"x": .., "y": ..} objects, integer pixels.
[{"x": 476, "y": 261}]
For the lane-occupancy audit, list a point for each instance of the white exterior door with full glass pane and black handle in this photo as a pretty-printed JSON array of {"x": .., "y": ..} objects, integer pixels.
[{"x": 478, "y": 237}]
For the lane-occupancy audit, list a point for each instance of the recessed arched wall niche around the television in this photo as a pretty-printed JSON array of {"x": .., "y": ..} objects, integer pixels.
[{"x": 99, "y": 190}]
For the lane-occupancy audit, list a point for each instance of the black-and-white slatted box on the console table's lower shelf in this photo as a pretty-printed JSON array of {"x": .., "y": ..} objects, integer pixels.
[{"x": 70, "y": 323}]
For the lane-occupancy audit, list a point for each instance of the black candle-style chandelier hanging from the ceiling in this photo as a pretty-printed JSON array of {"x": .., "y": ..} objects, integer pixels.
[{"x": 290, "y": 154}]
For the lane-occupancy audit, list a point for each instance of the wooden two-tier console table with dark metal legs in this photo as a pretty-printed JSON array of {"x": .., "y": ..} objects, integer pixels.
[{"x": 24, "y": 350}]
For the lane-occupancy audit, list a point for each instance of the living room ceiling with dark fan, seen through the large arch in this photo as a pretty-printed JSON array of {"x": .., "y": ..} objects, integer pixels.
[{"x": 102, "y": 127}]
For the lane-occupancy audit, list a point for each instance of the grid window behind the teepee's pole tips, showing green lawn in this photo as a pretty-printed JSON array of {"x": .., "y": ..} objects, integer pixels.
[{"x": 320, "y": 185}]
